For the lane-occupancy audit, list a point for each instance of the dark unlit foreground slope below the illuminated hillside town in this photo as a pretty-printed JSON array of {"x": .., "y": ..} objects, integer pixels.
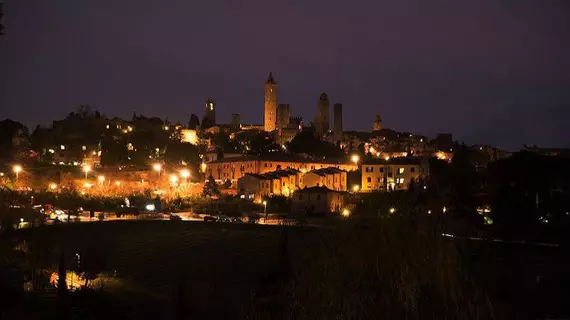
[{"x": 236, "y": 271}]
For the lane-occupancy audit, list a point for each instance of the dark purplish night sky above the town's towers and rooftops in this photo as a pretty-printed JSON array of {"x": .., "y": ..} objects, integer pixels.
[{"x": 493, "y": 71}]
